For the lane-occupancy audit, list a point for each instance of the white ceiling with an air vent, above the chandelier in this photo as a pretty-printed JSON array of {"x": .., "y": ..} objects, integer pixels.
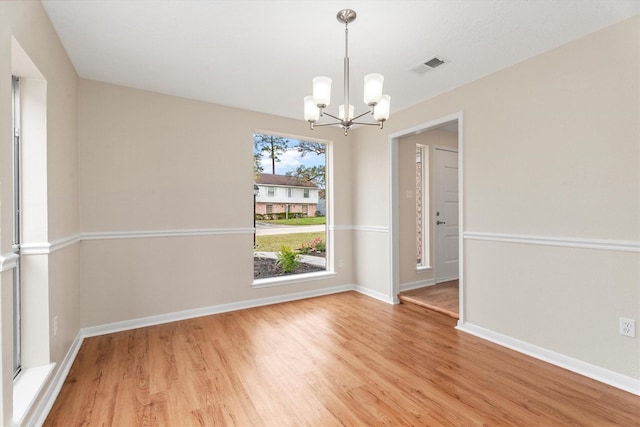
[{"x": 261, "y": 55}]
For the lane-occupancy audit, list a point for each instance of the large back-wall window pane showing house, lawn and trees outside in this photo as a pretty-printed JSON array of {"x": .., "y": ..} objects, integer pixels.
[{"x": 289, "y": 206}]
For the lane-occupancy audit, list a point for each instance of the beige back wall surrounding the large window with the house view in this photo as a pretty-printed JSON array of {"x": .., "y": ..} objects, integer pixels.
[{"x": 150, "y": 162}]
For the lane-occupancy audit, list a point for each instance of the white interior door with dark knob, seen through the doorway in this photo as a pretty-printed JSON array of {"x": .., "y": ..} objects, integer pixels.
[{"x": 446, "y": 214}]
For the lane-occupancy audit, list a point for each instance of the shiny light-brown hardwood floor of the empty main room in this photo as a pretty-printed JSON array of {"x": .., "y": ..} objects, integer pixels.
[{"x": 343, "y": 359}]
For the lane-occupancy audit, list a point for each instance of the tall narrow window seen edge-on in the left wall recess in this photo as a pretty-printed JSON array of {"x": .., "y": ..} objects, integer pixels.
[{"x": 17, "y": 288}]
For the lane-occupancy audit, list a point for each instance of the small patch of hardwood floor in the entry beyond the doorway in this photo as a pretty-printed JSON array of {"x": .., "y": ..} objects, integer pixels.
[{"x": 442, "y": 297}]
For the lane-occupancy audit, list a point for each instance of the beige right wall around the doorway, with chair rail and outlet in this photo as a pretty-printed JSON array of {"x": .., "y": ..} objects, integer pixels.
[{"x": 551, "y": 151}]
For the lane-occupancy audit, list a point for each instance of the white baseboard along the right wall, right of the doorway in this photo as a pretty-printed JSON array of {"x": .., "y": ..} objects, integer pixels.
[{"x": 632, "y": 385}]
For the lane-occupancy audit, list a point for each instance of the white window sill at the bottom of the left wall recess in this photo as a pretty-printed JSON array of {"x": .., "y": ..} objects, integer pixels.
[{"x": 26, "y": 388}]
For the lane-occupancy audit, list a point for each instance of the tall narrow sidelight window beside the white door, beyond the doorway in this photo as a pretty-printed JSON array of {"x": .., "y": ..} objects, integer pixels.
[{"x": 422, "y": 206}]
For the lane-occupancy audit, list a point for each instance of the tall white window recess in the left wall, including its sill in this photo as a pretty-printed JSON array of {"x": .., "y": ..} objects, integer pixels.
[{"x": 29, "y": 117}]
